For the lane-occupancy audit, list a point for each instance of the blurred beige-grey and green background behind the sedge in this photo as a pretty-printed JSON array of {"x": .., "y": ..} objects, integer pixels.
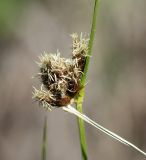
[{"x": 116, "y": 89}]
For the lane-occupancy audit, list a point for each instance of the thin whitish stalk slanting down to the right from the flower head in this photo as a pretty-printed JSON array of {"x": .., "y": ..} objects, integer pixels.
[{"x": 102, "y": 129}]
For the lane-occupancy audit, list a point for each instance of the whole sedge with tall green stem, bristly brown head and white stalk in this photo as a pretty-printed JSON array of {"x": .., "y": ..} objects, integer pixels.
[{"x": 63, "y": 84}]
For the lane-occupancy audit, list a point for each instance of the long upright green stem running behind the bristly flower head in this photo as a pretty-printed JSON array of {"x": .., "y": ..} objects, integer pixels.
[{"x": 83, "y": 81}]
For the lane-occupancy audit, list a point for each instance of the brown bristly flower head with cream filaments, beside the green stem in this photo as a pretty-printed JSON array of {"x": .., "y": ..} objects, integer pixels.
[{"x": 60, "y": 76}]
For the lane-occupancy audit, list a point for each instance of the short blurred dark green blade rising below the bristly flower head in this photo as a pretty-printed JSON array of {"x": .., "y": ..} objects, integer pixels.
[{"x": 44, "y": 140}]
